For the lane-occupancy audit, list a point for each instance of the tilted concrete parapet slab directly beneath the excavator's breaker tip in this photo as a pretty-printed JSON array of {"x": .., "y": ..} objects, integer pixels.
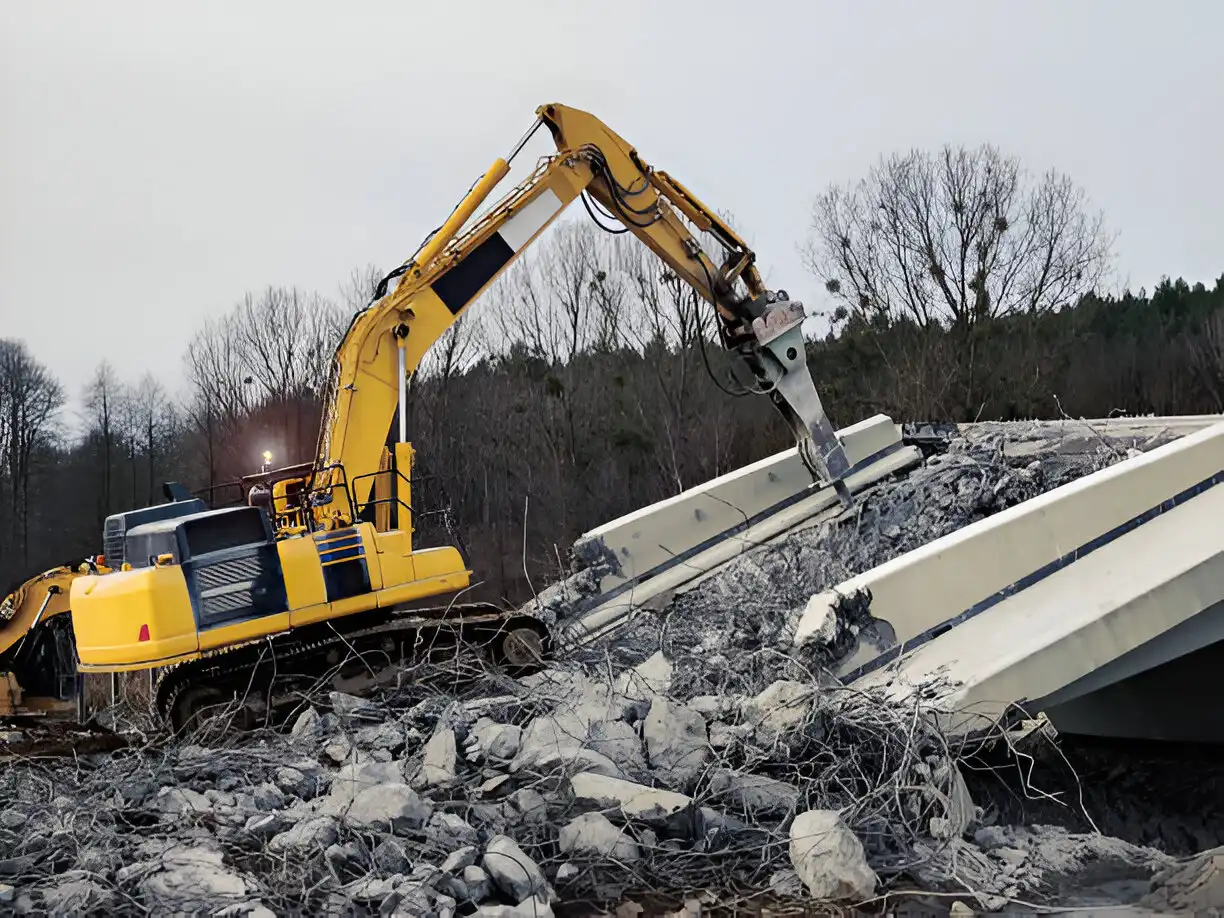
[{"x": 669, "y": 544}]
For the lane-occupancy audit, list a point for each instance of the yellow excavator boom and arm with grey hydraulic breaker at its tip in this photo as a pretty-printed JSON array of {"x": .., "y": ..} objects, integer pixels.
[{"x": 389, "y": 340}]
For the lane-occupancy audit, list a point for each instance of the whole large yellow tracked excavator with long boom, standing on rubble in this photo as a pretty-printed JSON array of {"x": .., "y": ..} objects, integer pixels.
[{"x": 318, "y": 577}]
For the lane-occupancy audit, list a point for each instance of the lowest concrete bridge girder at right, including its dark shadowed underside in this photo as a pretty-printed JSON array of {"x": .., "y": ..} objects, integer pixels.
[{"x": 1092, "y": 644}]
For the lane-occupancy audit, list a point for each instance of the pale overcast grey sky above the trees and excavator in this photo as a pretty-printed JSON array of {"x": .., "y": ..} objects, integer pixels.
[{"x": 160, "y": 160}]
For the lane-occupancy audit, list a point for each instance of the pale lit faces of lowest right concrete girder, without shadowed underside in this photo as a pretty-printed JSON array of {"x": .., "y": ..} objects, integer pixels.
[{"x": 1074, "y": 626}]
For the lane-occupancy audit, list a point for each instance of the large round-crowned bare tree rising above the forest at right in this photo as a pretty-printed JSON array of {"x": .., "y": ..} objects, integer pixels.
[{"x": 955, "y": 238}]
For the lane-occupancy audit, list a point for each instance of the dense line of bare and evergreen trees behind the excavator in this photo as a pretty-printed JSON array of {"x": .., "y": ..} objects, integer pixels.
[{"x": 589, "y": 381}]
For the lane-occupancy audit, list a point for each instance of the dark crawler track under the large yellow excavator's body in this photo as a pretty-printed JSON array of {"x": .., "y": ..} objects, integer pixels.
[{"x": 379, "y": 647}]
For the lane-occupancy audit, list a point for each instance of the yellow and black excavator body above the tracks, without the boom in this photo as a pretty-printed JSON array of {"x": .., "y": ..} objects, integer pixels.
[{"x": 221, "y": 580}]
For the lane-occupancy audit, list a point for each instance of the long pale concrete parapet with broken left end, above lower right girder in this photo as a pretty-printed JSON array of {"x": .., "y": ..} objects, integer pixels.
[{"x": 933, "y": 589}]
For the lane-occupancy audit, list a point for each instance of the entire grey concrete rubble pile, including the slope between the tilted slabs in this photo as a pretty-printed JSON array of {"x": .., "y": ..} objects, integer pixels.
[{"x": 691, "y": 762}]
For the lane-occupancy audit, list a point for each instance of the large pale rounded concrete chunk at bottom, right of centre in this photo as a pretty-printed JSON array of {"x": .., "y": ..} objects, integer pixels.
[{"x": 829, "y": 857}]
